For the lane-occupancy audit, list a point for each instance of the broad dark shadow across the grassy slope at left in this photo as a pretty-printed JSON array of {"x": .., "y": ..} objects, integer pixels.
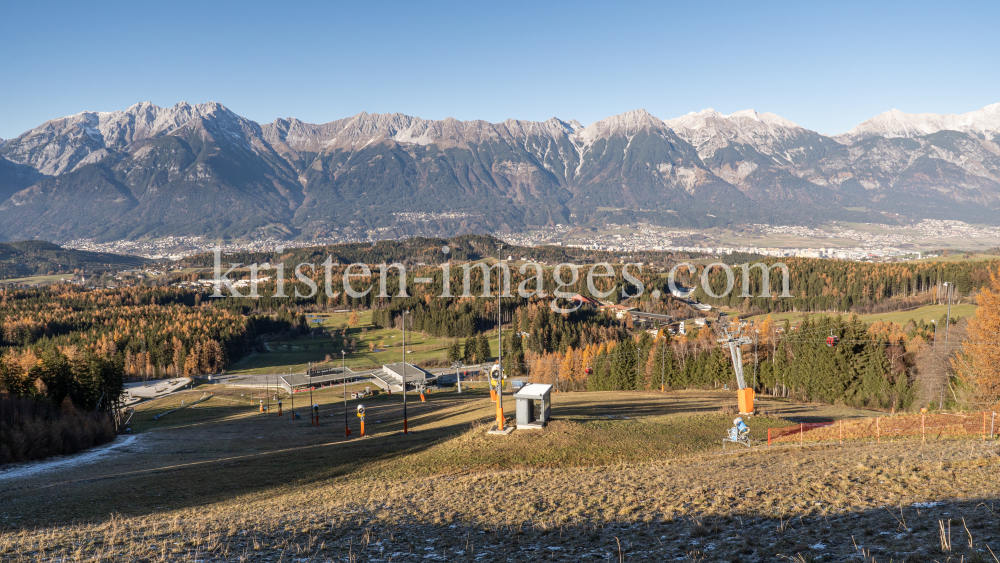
[{"x": 196, "y": 464}]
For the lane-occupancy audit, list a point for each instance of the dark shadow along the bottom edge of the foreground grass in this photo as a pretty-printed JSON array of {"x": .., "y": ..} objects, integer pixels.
[{"x": 965, "y": 530}]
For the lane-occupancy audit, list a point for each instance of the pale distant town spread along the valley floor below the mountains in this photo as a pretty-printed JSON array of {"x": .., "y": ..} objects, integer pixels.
[{"x": 842, "y": 241}]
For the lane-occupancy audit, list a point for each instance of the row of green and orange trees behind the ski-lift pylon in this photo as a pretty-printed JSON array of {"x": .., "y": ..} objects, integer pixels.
[{"x": 871, "y": 366}]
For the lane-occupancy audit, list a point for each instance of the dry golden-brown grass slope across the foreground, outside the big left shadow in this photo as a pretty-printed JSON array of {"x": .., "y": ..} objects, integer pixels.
[{"x": 615, "y": 477}]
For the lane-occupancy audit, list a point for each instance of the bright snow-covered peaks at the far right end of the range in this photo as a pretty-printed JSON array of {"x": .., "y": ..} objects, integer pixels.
[{"x": 984, "y": 122}]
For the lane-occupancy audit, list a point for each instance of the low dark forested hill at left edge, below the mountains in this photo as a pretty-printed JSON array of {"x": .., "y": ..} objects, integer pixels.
[{"x": 36, "y": 257}]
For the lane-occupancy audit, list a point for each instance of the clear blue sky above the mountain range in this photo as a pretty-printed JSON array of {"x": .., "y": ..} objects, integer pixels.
[{"x": 825, "y": 65}]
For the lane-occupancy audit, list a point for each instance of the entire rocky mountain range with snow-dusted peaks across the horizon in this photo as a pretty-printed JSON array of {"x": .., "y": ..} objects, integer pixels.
[{"x": 204, "y": 170}]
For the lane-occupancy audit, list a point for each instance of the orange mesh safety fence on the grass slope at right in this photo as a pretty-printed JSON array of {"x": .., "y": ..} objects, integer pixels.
[{"x": 924, "y": 426}]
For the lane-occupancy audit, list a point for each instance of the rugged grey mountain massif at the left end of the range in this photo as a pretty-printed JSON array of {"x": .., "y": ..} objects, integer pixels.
[{"x": 149, "y": 171}]
